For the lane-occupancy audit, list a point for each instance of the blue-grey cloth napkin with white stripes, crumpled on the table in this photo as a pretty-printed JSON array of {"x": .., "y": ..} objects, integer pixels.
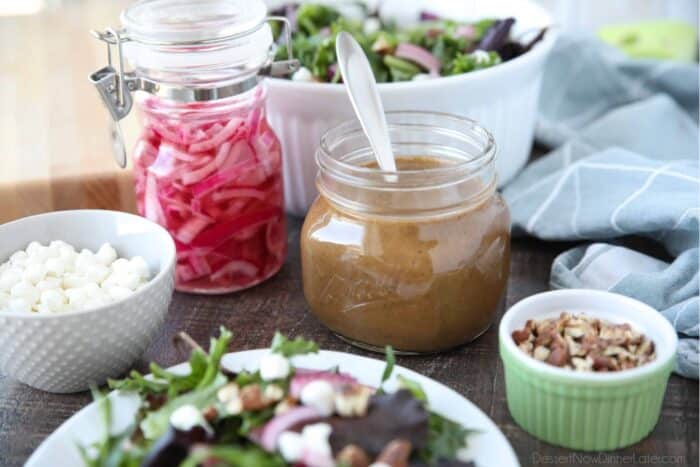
[{"x": 625, "y": 163}]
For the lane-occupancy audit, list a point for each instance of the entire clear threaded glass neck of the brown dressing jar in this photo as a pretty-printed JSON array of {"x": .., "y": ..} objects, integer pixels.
[{"x": 467, "y": 177}]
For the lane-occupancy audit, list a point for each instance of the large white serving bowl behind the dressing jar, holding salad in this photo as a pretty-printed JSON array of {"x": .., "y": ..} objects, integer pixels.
[{"x": 503, "y": 99}]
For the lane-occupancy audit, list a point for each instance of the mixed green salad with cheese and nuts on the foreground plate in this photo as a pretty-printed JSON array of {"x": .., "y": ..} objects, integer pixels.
[{"x": 276, "y": 415}]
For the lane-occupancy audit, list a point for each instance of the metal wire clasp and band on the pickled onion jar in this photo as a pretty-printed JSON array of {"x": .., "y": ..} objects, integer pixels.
[{"x": 116, "y": 85}]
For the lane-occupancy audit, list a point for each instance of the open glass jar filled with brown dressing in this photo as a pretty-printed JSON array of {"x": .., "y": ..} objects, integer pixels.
[{"x": 418, "y": 260}]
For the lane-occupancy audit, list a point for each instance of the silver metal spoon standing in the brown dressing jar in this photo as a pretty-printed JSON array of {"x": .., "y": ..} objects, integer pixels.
[{"x": 362, "y": 89}]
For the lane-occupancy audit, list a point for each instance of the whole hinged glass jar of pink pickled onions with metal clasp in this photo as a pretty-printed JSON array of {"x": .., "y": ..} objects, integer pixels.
[{"x": 207, "y": 165}]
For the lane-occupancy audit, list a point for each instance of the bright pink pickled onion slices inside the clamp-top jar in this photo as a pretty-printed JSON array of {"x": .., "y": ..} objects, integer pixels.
[{"x": 212, "y": 177}]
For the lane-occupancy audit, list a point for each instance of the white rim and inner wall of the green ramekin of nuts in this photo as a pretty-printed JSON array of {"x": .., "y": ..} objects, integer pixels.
[{"x": 604, "y": 305}]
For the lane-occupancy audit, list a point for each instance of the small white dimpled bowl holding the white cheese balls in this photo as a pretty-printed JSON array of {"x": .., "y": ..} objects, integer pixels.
[{"x": 66, "y": 352}]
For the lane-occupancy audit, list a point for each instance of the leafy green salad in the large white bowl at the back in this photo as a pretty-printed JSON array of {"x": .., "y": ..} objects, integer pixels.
[{"x": 433, "y": 48}]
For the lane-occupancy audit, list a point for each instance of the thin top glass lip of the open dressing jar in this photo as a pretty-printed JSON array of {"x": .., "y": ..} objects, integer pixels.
[{"x": 467, "y": 167}]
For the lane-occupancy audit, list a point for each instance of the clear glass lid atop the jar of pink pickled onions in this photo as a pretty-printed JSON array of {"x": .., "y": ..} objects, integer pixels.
[{"x": 193, "y": 41}]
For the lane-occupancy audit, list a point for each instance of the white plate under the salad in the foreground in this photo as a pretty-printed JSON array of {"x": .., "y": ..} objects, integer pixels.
[{"x": 487, "y": 448}]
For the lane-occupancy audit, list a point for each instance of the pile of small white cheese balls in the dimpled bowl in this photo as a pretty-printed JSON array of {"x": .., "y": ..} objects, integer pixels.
[{"x": 56, "y": 277}]
